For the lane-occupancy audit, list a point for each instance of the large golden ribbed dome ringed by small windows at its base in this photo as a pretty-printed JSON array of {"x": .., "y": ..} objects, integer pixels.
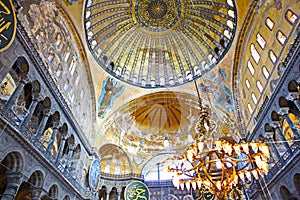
[{"x": 159, "y": 43}]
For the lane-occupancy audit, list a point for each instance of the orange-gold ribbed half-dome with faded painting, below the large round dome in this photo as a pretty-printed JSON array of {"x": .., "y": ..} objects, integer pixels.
[{"x": 144, "y": 124}]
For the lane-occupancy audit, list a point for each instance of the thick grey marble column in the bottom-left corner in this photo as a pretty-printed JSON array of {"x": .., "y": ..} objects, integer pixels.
[{"x": 12, "y": 186}]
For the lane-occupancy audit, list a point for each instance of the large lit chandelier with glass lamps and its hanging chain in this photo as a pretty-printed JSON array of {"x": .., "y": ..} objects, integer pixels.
[{"x": 217, "y": 164}]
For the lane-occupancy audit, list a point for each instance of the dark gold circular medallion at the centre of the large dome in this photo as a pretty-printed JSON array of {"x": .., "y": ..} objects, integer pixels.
[{"x": 157, "y": 15}]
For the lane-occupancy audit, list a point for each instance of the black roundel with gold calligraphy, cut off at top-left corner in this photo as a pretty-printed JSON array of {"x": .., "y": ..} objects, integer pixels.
[{"x": 8, "y": 22}]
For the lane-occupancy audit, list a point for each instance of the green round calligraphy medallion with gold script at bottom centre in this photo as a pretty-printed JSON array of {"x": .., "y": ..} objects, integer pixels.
[{"x": 136, "y": 190}]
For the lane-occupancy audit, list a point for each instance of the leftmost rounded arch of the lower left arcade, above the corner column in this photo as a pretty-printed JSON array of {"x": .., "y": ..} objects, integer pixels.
[{"x": 13, "y": 162}]
